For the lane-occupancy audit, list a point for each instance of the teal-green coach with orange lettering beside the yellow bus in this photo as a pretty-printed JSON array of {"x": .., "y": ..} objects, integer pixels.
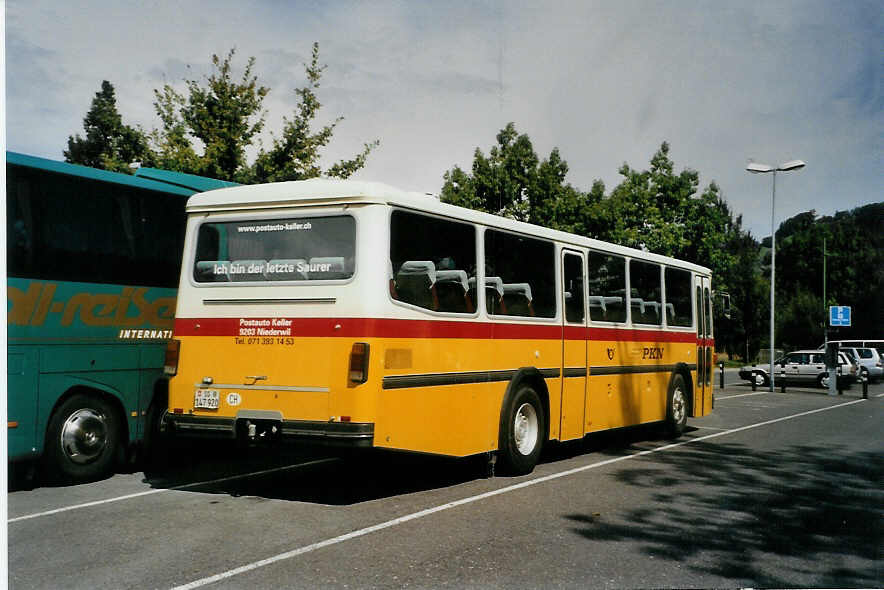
[{"x": 93, "y": 261}]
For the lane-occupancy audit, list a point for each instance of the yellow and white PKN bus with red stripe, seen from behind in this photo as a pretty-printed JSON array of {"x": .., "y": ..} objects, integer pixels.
[{"x": 357, "y": 314}]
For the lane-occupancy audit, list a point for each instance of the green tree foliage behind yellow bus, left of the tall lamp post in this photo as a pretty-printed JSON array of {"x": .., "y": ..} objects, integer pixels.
[{"x": 658, "y": 210}]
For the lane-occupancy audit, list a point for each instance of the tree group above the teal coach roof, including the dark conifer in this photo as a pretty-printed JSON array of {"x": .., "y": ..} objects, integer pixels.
[{"x": 209, "y": 128}]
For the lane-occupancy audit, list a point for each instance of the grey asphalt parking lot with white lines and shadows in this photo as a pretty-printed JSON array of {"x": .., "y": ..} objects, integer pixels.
[{"x": 770, "y": 490}]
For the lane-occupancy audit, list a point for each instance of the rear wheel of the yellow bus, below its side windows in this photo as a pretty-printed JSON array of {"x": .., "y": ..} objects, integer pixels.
[{"x": 522, "y": 430}]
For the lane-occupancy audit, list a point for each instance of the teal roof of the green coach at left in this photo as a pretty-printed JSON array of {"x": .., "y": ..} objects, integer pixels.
[{"x": 152, "y": 179}]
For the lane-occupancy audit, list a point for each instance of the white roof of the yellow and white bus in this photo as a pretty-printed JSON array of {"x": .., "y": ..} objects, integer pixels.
[{"x": 322, "y": 192}]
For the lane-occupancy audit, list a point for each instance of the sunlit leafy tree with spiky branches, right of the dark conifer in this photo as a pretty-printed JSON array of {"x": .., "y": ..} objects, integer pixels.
[{"x": 226, "y": 115}]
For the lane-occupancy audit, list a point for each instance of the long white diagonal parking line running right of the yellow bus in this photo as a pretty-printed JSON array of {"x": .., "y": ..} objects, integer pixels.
[{"x": 421, "y": 514}]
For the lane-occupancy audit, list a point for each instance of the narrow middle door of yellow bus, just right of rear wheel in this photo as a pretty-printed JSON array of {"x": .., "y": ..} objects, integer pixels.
[{"x": 574, "y": 360}]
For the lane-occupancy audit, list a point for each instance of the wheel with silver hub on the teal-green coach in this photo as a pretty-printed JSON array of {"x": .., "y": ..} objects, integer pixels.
[{"x": 83, "y": 439}]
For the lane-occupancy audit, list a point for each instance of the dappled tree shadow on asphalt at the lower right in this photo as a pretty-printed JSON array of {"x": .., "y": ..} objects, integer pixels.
[{"x": 805, "y": 507}]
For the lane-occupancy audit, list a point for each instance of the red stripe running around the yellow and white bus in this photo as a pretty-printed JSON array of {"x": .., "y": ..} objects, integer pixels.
[{"x": 390, "y": 328}]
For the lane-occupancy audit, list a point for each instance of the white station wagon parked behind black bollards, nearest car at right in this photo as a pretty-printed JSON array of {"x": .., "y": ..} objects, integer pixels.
[{"x": 802, "y": 367}]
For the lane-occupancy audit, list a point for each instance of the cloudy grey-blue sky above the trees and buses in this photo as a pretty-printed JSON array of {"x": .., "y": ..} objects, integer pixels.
[{"x": 605, "y": 82}]
